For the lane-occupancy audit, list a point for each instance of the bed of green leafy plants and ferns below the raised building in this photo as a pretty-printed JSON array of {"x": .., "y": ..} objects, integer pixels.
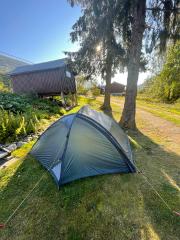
[{"x": 21, "y": 115}]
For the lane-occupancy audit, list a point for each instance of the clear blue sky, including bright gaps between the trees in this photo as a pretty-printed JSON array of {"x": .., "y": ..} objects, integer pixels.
[{"x": 38, "y": 30}]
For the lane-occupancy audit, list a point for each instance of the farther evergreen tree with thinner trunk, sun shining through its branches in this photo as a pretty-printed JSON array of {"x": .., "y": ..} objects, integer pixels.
[{"x": 100, "y": 50}]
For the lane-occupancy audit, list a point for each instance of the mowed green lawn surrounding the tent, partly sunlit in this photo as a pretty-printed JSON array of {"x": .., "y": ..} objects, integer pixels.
[{"x": 118, "y": 206}]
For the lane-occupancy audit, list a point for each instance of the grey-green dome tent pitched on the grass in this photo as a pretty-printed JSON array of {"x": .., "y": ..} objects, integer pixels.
[{"x": 83, "y": 144}]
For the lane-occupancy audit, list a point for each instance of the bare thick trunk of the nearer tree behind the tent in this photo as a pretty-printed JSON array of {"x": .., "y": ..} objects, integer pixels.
[{"x": 138, "y": 27}]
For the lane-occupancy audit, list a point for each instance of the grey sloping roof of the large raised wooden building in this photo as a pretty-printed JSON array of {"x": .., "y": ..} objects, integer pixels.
[{"x": 40, "y": 66}]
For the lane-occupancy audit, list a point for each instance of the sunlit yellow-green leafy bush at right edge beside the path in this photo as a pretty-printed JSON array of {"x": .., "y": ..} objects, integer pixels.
[{"x": 166, "y": 85}]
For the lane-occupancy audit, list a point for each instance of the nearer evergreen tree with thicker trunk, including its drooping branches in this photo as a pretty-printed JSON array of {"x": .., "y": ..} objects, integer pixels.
[{"x": 154, "y": 22}]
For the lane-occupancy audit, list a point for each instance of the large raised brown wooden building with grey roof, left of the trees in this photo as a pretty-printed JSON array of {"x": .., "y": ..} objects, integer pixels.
[{"x": 45, "y": 79}]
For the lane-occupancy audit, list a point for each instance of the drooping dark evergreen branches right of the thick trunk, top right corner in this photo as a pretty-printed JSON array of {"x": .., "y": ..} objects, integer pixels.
[{"x": 163, "y": 17}]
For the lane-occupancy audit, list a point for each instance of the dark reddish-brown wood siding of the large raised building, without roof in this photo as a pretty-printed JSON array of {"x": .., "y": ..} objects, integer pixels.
[{"x": 46, "y": 82}]
